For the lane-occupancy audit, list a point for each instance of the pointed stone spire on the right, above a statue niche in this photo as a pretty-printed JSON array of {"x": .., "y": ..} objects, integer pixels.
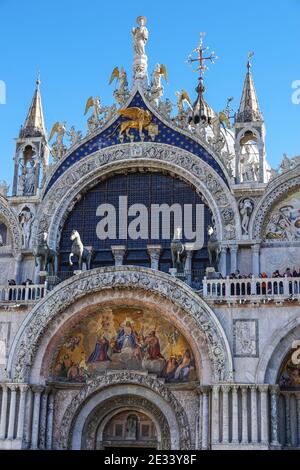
[{"x": 249, "y": 110}]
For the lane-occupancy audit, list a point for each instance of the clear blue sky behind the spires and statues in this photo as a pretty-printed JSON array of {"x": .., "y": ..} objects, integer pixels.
[{"x": 77, "y": 44}]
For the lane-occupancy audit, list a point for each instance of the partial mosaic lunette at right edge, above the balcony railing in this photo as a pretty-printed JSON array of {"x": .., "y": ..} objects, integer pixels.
[{"x": 284, "y": 222}]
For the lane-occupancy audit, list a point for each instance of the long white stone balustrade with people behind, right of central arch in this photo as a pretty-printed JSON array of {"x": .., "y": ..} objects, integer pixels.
[{"x": 232, "y": 290}]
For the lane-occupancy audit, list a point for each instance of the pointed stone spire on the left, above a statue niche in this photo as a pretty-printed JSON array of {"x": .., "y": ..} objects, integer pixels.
[{"x": 34, "y": 124}]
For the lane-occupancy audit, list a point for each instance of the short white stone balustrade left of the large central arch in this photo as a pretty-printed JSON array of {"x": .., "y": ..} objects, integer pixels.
[{"x": 22, "y": 294}]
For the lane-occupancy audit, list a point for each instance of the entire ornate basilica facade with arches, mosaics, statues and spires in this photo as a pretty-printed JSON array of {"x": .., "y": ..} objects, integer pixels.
[{"x": 150, "y": 275}]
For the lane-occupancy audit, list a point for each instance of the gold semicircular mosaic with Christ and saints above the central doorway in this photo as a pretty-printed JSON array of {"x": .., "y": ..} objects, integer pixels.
[{"x": 123, "y": 338}]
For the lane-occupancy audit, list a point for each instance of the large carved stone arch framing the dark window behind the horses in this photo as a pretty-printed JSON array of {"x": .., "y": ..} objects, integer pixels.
[{"x": 182, "y": 164}]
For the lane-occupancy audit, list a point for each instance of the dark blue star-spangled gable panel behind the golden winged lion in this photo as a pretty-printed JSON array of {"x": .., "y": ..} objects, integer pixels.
[{"x": 110, "y": 137}]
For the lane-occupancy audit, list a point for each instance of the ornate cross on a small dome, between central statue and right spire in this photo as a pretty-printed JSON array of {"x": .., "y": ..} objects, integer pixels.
[{"x": 201, "y": 110}]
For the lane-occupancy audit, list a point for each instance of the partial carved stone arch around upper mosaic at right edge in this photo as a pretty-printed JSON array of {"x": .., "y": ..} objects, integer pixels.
[{"x": 277, "y": 190}]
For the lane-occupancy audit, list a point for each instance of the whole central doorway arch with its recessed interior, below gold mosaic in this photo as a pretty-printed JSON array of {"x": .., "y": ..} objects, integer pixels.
[{"x": 84, "y": 425}]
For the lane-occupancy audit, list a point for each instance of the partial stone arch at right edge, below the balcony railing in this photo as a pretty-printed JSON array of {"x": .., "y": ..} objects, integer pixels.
[{"x": 276, "y": 351}]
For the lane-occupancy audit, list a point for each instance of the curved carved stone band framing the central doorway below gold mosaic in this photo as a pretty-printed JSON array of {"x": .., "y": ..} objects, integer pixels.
[{"x": 117, "y": 384}]
